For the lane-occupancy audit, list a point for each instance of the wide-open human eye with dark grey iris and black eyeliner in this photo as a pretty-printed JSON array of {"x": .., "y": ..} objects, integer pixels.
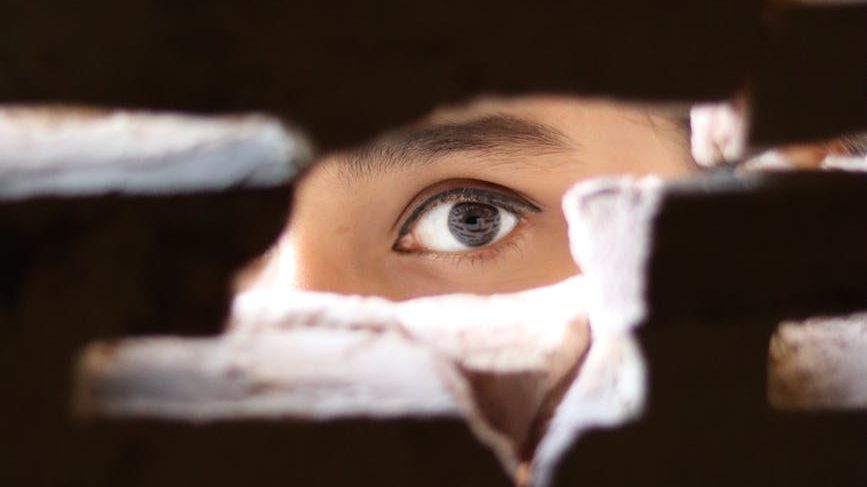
[{"x": 471, "y": 217}]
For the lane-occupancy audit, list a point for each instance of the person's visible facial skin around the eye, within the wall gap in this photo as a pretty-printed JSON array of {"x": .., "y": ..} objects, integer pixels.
[{"x": 345, "y": 231}]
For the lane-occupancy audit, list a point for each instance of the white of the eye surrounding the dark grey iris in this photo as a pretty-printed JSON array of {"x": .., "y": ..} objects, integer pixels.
[{"x": 432, "y": 230}]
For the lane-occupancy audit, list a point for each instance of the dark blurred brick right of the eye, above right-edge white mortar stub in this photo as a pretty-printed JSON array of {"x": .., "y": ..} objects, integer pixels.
[{"x": 799, "y": 238}]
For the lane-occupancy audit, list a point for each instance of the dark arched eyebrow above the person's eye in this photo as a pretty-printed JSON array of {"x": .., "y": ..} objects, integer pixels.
[{"x": 495, "y": 135}]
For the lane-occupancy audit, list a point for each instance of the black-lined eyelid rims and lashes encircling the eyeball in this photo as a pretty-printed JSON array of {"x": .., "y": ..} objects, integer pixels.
[{"x": 514, "y": 203}]
